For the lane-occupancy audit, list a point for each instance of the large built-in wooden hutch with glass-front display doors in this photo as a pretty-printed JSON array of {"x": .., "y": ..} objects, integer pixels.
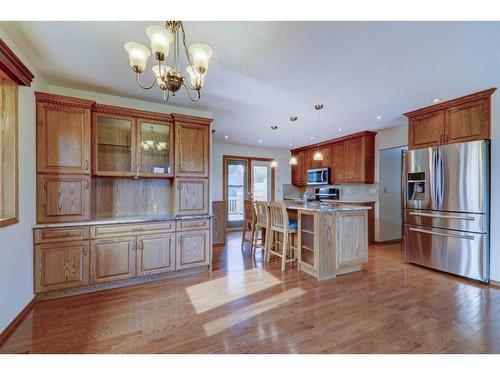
[{"x": 122, "y": 194}]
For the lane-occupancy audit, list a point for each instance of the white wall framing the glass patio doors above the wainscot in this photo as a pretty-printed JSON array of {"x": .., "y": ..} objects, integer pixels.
[{"x": 283, "y": 171}]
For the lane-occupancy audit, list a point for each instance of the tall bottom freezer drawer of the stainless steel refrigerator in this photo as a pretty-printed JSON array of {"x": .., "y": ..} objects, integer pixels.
[{"x": 461, "y": 253}]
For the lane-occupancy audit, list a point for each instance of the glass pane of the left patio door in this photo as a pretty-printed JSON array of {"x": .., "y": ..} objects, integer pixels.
[{"x": 236, "y": 191}]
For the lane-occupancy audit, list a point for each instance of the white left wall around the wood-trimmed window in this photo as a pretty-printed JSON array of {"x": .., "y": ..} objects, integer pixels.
[{"x": 16, "y": 241}]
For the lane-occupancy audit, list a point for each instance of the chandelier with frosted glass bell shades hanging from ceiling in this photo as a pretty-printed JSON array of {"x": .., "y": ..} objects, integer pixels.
[{"x": 169, "y": 78}]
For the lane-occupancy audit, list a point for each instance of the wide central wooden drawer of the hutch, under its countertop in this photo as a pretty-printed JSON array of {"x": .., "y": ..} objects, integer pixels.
[{"x": 105, "y": 231}]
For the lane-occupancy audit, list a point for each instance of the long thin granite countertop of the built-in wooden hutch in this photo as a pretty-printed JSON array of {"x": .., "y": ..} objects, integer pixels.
[{"x": 122, "y": 220}]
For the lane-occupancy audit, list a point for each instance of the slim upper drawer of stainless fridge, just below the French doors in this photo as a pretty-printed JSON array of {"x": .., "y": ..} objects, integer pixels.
[{"x": 448, "y": 220}]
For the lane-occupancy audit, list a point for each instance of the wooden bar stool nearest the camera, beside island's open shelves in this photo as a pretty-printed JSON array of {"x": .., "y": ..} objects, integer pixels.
[{"x": 280, "y": 224}]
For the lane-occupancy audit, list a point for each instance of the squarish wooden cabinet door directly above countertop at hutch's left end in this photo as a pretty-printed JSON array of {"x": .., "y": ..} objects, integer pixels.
[{"x": 63, "y": 198}]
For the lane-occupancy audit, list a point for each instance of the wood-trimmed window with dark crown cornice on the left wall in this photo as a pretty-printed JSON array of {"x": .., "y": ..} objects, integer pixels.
[{"x": 12, "y": 74}]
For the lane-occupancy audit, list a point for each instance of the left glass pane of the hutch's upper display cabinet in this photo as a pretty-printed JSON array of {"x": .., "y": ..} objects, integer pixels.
[{"x": 114, "y": 144}]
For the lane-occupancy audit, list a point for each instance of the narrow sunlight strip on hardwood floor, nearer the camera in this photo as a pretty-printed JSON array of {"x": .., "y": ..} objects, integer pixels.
[{"x": 251, "y": 311}]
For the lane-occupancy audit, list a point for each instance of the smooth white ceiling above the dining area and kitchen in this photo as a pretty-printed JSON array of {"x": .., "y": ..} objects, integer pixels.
[{"x": 264, "y": 72}]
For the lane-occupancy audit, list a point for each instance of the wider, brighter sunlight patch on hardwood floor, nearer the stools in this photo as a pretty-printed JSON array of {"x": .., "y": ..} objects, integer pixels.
[{"x": 218, "y": 292}]
